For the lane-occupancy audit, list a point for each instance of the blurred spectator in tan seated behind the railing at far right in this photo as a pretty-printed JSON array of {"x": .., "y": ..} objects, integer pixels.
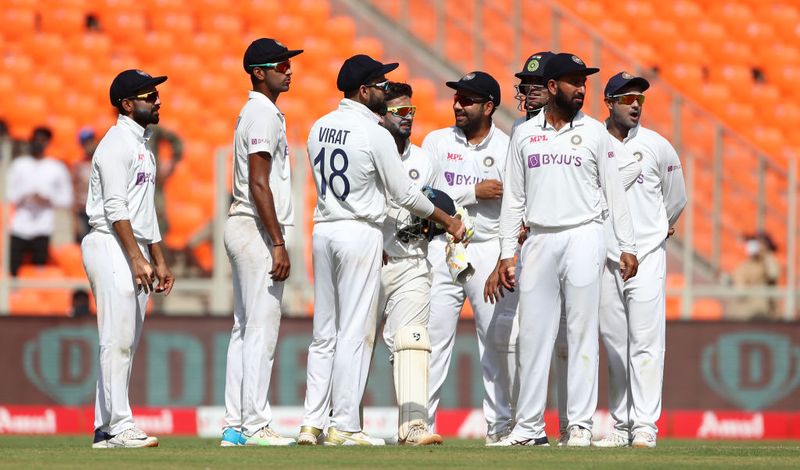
[{"x": 760, "y": 269}]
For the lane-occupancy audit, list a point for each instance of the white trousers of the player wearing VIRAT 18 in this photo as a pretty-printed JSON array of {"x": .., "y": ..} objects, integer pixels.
[{"x": 347, "y": 257}]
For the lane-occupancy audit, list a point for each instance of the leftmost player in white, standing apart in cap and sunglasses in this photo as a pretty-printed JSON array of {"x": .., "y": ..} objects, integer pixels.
[{"x": 122, "y": 254}]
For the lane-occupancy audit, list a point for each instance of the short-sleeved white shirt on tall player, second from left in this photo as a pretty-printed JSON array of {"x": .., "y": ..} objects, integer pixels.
[{"x": 261, "y": 127}]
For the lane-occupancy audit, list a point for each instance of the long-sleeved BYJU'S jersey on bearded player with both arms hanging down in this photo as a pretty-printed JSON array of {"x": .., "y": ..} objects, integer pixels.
[{"x": 558, "y": 179}]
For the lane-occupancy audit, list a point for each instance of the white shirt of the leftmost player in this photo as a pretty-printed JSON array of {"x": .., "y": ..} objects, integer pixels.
[{"x": 123, "y": 182}]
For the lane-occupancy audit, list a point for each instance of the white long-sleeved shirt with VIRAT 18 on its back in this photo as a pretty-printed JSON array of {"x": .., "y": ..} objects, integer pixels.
[{"x": 355, "y": 165}]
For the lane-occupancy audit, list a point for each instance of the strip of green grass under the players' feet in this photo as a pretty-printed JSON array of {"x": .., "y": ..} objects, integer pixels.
[{"x": 25, "y": 452}]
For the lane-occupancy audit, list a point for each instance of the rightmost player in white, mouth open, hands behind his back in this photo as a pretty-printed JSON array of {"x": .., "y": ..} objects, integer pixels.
[{"x": 632, "y": 313}]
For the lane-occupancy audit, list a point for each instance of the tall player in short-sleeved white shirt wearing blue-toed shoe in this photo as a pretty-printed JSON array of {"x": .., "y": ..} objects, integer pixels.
[{"x": 254, "y": 240}]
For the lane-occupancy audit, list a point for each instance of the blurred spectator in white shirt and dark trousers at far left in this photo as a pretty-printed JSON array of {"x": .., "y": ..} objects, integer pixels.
[{"x": 36, "y": 185}]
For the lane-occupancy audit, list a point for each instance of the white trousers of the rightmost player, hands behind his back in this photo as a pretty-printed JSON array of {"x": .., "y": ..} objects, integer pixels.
[{"x": 632, "y": 326}]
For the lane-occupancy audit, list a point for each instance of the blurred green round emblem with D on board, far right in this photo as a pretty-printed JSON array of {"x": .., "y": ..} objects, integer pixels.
[{"x": 752, "y": 369}]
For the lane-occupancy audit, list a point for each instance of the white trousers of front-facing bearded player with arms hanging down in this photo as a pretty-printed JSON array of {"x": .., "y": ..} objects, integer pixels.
[{"x": 559, "y": 264}]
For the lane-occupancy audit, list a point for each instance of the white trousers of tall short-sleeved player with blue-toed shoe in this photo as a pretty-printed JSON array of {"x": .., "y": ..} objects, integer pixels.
[{"x": 256, "y": 321}]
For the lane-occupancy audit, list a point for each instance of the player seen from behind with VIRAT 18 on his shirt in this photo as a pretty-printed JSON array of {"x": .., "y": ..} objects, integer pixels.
[{"x": 355, "y": 163}]
